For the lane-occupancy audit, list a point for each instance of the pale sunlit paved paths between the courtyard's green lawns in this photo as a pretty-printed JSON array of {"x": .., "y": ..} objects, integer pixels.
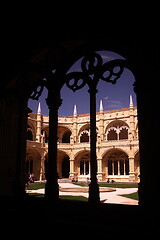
[{"x": 105, "y": 197}]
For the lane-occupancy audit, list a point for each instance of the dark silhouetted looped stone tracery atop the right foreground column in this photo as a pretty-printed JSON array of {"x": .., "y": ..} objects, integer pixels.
[{"x": 93, "y": 70}]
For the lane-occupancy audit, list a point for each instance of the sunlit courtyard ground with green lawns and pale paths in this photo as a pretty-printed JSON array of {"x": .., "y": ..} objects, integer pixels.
[{"x": 115, "y": 193}]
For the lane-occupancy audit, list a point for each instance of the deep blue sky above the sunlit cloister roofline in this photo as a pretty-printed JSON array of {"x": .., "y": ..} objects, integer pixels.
[{"x": 117, "y": 94}]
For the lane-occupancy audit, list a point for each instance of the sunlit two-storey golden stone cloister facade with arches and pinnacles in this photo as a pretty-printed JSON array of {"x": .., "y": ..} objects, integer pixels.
[{"x": 117, "y": 145}]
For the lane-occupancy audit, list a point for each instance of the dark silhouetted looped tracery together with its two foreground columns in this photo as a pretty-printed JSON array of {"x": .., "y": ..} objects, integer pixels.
[{"x": 93, "y": 69}]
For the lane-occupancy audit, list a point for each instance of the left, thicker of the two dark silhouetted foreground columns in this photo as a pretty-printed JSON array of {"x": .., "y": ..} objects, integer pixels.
[{"x": 52, "y": 187}]
